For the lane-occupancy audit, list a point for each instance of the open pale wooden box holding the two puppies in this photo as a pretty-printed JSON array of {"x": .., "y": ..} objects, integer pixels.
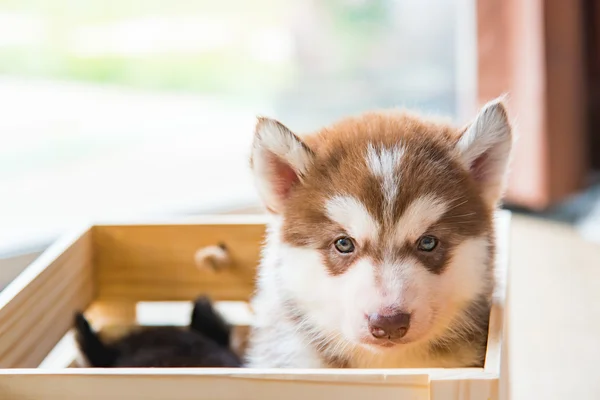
[{"x": 108, "y": 270}]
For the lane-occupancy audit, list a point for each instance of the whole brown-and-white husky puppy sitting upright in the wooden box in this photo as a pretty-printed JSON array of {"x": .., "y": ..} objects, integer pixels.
[{"x": 429, "y": 161}]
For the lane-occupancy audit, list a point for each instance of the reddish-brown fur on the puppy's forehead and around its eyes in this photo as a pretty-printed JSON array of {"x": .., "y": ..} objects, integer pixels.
[{"x": 340, "y": 166}]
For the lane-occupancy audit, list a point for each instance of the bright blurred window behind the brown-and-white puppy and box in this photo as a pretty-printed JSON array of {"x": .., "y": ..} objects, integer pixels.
[{"x": 115, "y": 109}]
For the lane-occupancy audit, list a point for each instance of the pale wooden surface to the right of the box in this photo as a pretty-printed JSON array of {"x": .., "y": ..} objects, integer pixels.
[{"x": 554, "y": 313}]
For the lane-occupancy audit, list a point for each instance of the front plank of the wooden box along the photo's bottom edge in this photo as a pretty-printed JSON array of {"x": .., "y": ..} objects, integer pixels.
[{"x": 182, "y": 386}]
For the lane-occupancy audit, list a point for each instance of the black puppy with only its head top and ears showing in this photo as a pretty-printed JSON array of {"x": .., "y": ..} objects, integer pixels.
[{"x": 205, "y": 343}]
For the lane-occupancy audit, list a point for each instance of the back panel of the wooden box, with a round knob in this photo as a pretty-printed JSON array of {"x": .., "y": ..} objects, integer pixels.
[{"x": 155, "y": 262}]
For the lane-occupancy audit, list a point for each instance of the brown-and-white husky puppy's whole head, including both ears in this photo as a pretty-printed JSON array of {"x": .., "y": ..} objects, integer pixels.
[{"x": 385, "y": 220}]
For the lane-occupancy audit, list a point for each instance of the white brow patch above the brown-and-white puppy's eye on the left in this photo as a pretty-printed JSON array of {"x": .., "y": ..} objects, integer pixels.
[{"x": 351, "y": 214}]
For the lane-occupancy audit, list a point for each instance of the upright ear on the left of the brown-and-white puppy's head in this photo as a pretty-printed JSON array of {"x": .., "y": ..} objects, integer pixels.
[{"x": 279, "y": 161}]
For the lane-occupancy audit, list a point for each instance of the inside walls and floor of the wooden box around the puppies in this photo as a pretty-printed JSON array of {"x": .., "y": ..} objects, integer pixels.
[{"x": 131, "y": 274}]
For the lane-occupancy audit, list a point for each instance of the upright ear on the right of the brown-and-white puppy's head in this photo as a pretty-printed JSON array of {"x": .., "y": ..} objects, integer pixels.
[{"x": 485, "y": 148}]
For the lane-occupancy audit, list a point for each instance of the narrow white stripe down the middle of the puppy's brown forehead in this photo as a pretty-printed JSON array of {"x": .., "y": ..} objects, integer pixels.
[{"x": 384, "y": 163}]
